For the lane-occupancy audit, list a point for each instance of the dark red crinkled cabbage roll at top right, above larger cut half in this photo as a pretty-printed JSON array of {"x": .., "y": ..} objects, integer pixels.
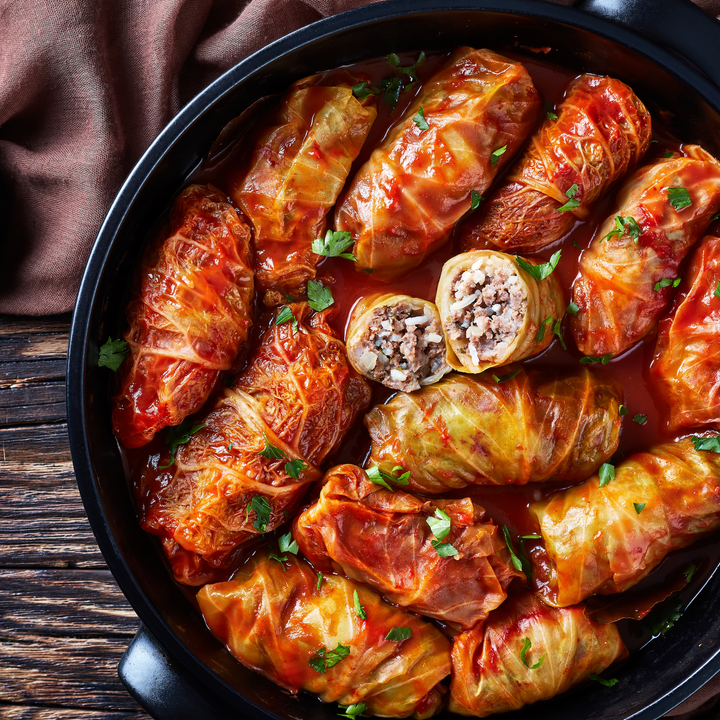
[{"x": 601, "y": 129}]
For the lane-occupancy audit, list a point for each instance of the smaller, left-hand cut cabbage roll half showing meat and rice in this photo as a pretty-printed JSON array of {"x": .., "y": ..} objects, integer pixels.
[{"x": 397, "y": 340}]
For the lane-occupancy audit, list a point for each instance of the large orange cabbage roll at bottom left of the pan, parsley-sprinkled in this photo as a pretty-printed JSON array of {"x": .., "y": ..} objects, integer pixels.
[{"x": 276, "y": 618}]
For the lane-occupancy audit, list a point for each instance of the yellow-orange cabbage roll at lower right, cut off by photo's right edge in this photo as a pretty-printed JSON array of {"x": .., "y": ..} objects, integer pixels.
[{"x": 597, "y": 542}]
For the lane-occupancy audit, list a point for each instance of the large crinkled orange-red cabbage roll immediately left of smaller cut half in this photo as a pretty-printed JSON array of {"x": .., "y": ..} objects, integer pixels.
[{"x": 298, "y": 395}]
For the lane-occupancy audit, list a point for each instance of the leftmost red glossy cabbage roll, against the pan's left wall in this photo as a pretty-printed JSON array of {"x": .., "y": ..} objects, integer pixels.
[{"x": 189, "y": 318}]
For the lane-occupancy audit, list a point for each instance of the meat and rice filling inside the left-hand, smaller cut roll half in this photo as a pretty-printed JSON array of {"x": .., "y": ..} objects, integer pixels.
[{"x": 402, "y": 346}]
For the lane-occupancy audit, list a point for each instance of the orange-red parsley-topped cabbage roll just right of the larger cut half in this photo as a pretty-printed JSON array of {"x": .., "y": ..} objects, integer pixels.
[{"x": 626, "y": 275}]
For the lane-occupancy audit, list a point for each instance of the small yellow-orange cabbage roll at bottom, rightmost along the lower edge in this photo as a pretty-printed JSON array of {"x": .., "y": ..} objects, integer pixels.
[{"x": 527, "y": 652}]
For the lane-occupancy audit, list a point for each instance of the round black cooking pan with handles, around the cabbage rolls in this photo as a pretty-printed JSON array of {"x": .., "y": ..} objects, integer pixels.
[{"x": 174, "y": 667}]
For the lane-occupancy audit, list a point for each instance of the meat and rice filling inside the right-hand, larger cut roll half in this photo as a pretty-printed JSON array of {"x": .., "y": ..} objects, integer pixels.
[{"x": 487, "y": 310}]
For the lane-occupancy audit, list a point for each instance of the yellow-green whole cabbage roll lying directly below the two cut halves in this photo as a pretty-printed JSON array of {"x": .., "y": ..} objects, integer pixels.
[{"x": 475, "y": 431}]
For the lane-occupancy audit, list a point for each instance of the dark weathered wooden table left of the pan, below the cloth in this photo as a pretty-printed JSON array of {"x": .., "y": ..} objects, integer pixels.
[{"x": 64, "y": 624}]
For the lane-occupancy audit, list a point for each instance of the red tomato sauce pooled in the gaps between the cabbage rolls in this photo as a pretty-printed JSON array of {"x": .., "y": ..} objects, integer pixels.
[{"x": 505, "y": 506}]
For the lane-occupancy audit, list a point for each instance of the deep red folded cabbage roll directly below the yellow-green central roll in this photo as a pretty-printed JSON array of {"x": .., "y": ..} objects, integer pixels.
[{"x": 383, "y": 538}]
